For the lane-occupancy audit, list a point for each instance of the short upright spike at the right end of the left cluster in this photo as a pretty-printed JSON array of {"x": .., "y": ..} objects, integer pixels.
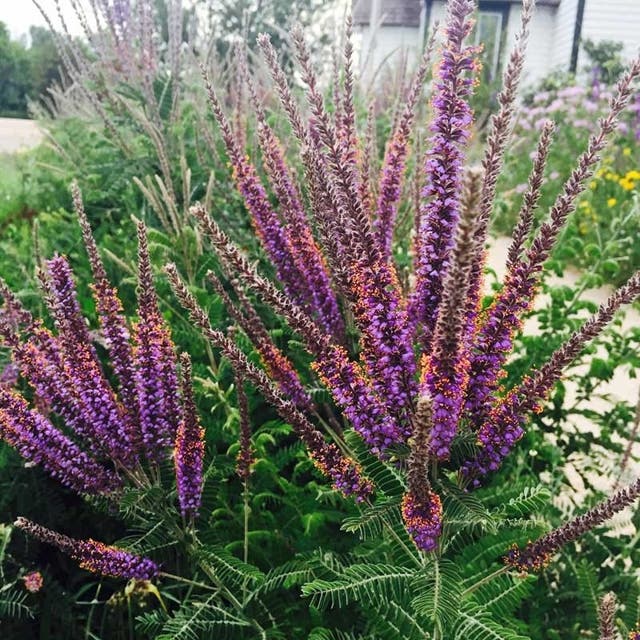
[{"x": 189, "y": 448}]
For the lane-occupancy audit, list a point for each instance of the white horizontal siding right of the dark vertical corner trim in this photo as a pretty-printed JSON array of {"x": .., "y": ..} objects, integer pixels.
[{"x": 612, "y": 20}]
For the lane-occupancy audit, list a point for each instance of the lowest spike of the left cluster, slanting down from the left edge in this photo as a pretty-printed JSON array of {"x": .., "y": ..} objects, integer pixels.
[{"x": 39, "y": 442}]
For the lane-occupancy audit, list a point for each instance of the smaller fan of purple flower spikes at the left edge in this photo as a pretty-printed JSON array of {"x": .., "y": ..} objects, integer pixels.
[{"x": 109, "y": 433}]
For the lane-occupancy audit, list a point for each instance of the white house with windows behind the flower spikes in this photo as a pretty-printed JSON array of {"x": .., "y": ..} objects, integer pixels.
[{"x": 391, "y": 27}]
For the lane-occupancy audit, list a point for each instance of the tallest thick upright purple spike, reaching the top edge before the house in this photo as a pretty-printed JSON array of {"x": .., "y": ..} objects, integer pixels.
[{"x": 440, "y": 211}]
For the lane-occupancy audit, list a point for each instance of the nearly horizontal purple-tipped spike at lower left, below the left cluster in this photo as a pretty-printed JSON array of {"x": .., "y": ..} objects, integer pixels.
[{"x": 94, "y": 556}]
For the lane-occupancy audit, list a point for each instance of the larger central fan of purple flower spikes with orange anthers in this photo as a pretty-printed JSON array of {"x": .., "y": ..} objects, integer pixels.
[{"x": 415, "y": 364}]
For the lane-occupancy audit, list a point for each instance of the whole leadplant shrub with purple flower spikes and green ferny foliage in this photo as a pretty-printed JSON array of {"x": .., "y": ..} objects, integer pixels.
[{"x": 395, "y": 373}]
